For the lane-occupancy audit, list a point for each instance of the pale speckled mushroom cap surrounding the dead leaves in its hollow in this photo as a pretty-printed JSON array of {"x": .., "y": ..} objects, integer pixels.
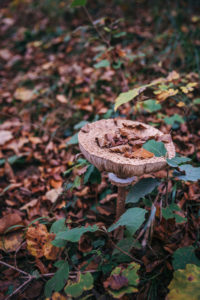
[{"x": 121, "y": 166}]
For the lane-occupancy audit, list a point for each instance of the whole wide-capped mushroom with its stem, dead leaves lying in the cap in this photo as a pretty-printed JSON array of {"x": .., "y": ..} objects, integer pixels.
[{"x": 104, "y": 143}]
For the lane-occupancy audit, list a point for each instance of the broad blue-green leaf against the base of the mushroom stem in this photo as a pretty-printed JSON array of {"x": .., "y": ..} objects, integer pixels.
[{"x": 132, "y": 219}]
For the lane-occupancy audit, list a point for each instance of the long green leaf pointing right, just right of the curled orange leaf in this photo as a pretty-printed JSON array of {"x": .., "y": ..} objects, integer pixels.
[{"x": 74, "y": 235}]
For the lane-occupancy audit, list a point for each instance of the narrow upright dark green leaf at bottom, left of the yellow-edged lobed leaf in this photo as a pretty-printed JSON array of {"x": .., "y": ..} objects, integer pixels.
[{"x": 57, "y": 282}]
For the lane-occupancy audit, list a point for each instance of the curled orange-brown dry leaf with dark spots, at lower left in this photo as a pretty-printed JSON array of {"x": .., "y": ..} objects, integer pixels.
[{"x": 39, "y": 242}]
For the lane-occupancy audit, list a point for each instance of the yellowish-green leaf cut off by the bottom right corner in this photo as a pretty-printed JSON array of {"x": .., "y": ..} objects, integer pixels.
[{"x": 185, "y": 284}]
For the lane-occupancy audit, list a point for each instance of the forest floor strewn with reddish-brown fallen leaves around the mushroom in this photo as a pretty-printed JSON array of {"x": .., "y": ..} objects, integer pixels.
[{"x": 59, "y": 71}]
